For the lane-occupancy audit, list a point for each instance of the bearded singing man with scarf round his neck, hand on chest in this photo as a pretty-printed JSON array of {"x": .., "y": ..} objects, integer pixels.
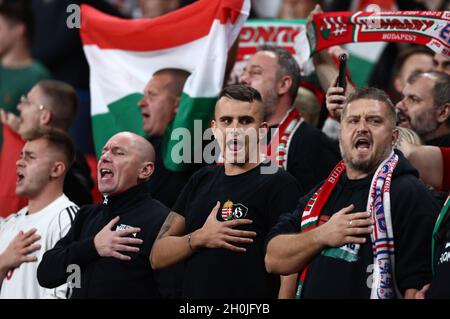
[{"x": 365, "y": 231}]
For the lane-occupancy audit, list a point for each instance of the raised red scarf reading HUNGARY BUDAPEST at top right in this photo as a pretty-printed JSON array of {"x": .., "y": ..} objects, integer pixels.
[{"x": 430, "y": 28}]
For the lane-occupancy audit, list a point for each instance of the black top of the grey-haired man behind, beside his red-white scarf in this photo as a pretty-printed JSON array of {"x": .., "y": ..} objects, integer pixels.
[{"x": 311, "y": 156}]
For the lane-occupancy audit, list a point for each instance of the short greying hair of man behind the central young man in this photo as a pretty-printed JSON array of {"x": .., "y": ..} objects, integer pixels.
[{"x": 288, "y": 66}]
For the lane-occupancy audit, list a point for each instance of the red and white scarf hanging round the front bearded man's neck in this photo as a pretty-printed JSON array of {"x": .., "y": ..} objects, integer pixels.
[{"x": 379, "y": 205}]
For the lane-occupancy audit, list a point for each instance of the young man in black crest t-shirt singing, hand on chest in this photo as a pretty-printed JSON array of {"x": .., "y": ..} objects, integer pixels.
[{"x": 220, "y": 221}]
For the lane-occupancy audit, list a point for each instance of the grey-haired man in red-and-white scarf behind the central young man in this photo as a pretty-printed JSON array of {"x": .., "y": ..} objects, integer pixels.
[{"x": 301, "y": 149}]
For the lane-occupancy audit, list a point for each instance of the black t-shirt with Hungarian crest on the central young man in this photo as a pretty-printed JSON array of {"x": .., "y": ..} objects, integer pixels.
[{"x": 221, "y": 273}]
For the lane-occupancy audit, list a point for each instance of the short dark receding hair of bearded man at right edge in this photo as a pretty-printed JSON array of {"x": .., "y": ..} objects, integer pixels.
[{"x": 441, "y": 88}]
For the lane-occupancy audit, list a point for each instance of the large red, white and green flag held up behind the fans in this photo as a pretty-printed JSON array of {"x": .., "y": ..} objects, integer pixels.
[{"x": 123, "y": 55}]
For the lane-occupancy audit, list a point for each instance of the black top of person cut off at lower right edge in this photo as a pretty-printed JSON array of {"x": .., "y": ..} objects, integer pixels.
[{"x": 440, "y": 285}]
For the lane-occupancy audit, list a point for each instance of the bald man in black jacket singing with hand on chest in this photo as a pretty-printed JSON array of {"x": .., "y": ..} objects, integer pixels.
[{"x": 106, "y": 253}]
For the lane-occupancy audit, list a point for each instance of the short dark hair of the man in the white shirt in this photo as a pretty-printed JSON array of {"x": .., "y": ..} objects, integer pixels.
[{"x": 58, "y": 140}]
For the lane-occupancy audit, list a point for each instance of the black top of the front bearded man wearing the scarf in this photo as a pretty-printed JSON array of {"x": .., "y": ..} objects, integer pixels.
[{"x": 346, "y": 272}]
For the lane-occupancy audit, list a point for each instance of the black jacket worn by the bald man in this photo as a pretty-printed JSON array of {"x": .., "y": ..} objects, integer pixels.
[{"x": 107, "y": 277}]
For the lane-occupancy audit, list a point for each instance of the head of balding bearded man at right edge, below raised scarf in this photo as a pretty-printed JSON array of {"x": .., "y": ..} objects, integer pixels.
[{"x": 425, "y": 107}]
